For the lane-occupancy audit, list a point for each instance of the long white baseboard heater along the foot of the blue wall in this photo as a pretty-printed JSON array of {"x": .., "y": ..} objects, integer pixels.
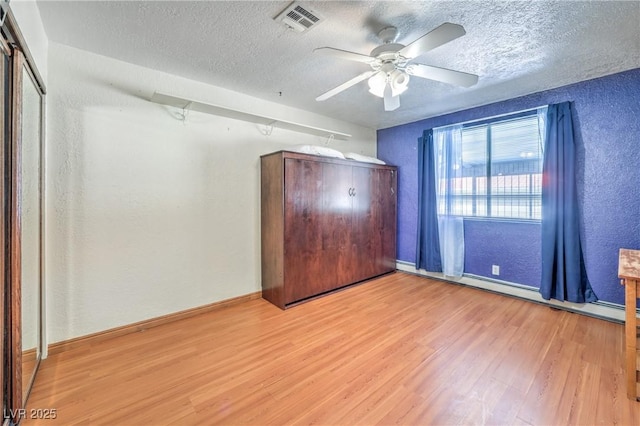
[{"x": 604, "y": 310}]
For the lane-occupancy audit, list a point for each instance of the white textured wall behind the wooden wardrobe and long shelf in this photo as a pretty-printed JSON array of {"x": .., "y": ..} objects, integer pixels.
[{"x": 148, "y": 215}]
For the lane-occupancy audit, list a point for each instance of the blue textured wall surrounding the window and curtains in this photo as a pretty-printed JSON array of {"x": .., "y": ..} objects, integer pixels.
[{"x": 607, "y": 126}]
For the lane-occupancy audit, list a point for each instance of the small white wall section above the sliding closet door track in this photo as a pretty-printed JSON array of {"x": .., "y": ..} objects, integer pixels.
[{"x": 27, "y": 15}]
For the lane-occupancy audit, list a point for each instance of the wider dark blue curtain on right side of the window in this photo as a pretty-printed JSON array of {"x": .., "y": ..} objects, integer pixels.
[{"x": 564, "y": 275}]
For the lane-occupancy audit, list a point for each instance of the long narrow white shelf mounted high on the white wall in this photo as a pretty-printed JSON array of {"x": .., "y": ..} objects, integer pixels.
[{"x": 209, "y": 108}]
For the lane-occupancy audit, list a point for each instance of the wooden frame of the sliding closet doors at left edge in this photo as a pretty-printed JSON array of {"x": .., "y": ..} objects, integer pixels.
[{"x": 13, "y": 41}]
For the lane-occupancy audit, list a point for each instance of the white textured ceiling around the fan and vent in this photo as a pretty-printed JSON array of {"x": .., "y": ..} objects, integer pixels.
[{"x": 516, "y": 47}]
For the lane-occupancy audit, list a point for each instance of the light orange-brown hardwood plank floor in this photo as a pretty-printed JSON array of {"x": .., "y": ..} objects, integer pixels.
[{"x": 400, "y": 349}]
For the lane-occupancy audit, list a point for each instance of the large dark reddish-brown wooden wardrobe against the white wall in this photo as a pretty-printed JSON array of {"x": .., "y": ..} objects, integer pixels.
[{"x": 326, "y": 223}]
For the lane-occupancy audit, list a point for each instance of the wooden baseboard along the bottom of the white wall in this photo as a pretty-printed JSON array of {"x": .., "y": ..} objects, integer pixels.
[{"x": 76, "y": 342}]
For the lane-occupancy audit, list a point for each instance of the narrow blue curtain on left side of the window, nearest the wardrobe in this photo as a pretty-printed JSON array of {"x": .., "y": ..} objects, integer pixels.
[{"x": 428, "y": 242}]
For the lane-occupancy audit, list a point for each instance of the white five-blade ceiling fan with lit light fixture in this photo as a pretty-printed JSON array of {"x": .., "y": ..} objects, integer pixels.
[{"x": 391, "y": 64}]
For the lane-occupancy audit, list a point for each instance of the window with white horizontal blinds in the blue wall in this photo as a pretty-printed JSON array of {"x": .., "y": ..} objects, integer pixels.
[{"x": 501, "y": 174}]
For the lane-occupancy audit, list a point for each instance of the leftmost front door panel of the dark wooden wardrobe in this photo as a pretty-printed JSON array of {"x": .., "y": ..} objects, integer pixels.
[{"x": 304, "y": 273}]
